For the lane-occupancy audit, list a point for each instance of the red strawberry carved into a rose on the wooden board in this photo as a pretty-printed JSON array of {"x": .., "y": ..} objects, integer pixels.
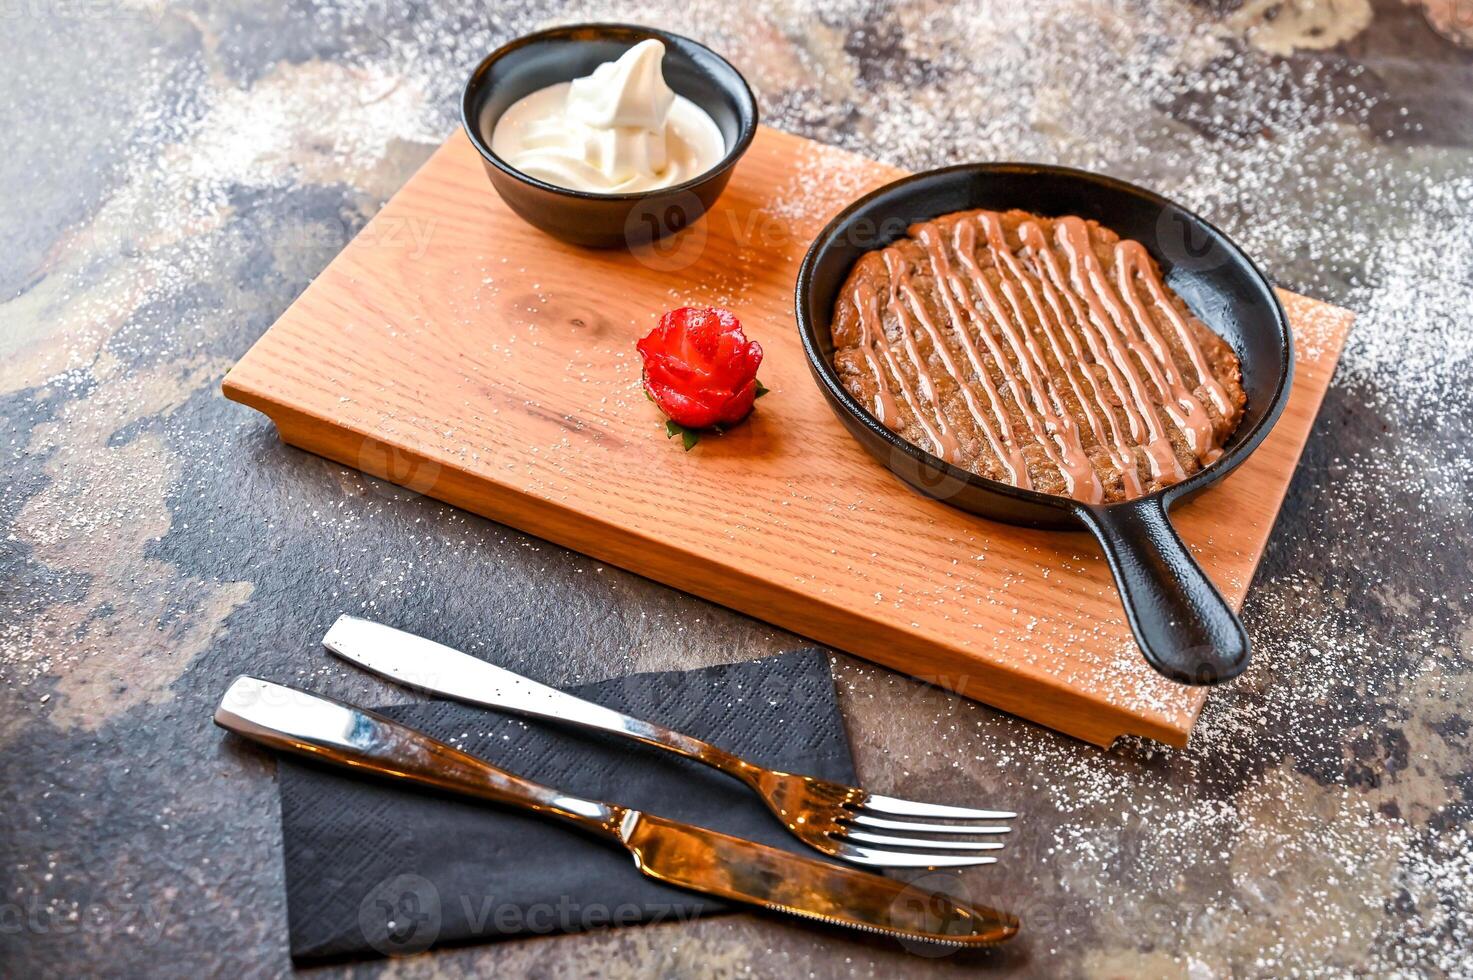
[{"x": 702, "y": 371}]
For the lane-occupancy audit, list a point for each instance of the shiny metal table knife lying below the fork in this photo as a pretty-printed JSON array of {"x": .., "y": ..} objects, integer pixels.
[{"x": 689, "y": 857}]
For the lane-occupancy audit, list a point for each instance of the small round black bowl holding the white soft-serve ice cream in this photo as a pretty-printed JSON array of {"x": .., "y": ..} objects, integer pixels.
[{"x": 563, "y": 54}]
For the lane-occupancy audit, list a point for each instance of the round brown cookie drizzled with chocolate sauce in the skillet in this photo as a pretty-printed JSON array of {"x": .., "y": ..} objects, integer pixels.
[{"x": 1044, "y": 353}]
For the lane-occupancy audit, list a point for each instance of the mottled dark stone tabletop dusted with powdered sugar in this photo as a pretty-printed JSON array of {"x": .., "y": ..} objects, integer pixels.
[{"x": 175, "y": 176}]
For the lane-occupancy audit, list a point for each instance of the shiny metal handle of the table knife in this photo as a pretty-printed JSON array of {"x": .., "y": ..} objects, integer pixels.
[{"x": 331, "y": 732}]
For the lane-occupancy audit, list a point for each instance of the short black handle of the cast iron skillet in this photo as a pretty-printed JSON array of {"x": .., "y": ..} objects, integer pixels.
[{"x": 1182, "y": 623}]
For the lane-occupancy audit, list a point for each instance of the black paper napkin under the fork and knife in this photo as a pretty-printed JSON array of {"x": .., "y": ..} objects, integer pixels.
[{"x": 373, "y": 869}]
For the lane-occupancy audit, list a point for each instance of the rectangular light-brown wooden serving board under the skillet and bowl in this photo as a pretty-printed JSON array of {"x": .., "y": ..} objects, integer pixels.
[{"x": 459, "y": 351}]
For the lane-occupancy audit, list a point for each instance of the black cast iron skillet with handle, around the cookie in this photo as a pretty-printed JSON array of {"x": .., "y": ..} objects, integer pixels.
[{"x": 1182, "y": 623}]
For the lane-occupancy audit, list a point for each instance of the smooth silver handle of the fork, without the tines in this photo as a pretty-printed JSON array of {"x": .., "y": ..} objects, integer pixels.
[{"x": 431, "y": 667}]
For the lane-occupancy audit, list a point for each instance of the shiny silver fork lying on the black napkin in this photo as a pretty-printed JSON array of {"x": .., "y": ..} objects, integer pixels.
[{"x": 839, "y": 820}]
